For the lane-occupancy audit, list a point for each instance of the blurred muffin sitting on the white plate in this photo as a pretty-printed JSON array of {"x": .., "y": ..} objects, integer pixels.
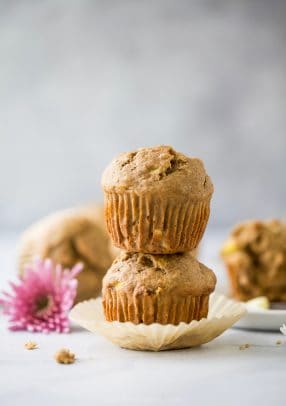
[{"x": 255, "y": 259}]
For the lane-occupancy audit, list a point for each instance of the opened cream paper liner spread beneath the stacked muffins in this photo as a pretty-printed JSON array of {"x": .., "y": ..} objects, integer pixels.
[{"x": 223, "y": 313}]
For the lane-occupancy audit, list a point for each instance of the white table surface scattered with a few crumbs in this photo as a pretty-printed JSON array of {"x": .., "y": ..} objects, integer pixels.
[{"x": 217, "y": 373}]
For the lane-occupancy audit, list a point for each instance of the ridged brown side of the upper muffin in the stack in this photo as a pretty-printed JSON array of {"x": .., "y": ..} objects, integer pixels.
[{"x": 150, "y": 224}]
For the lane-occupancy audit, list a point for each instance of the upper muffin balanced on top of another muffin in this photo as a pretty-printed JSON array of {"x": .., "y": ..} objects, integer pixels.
[{"x": 157, "y": 201}]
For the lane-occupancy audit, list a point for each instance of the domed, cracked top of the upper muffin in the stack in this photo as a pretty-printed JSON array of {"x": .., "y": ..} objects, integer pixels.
[{"x": 157, "y": 167}]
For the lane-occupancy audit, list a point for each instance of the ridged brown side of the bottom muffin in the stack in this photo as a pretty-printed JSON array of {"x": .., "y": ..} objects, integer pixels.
[{"x": 150, "y": 309}]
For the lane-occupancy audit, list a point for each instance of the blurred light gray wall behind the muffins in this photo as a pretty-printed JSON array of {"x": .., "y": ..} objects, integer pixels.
[{"x": 81, "y": 81}]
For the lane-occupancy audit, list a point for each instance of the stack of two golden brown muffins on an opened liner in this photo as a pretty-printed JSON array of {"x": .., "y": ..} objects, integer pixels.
[{"x": 157, "y": 204}]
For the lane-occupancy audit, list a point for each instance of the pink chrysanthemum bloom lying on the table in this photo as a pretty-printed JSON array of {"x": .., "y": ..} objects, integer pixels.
[{"x": 41, "y": 300}]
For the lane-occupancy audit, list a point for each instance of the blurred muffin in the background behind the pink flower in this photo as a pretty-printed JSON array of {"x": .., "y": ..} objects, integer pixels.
[{"x": 68, "y": 237}]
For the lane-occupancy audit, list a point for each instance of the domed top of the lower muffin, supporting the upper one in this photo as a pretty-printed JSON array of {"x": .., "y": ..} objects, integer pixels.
[{"x": 141, "y": 274}]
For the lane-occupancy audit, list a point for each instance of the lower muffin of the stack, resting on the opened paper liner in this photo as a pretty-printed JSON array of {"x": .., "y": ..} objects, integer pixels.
[{"x": 165, "y": 289}]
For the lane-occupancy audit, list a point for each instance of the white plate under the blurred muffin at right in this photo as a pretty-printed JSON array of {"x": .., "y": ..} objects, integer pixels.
[{"x": 260, "y": 319}]
